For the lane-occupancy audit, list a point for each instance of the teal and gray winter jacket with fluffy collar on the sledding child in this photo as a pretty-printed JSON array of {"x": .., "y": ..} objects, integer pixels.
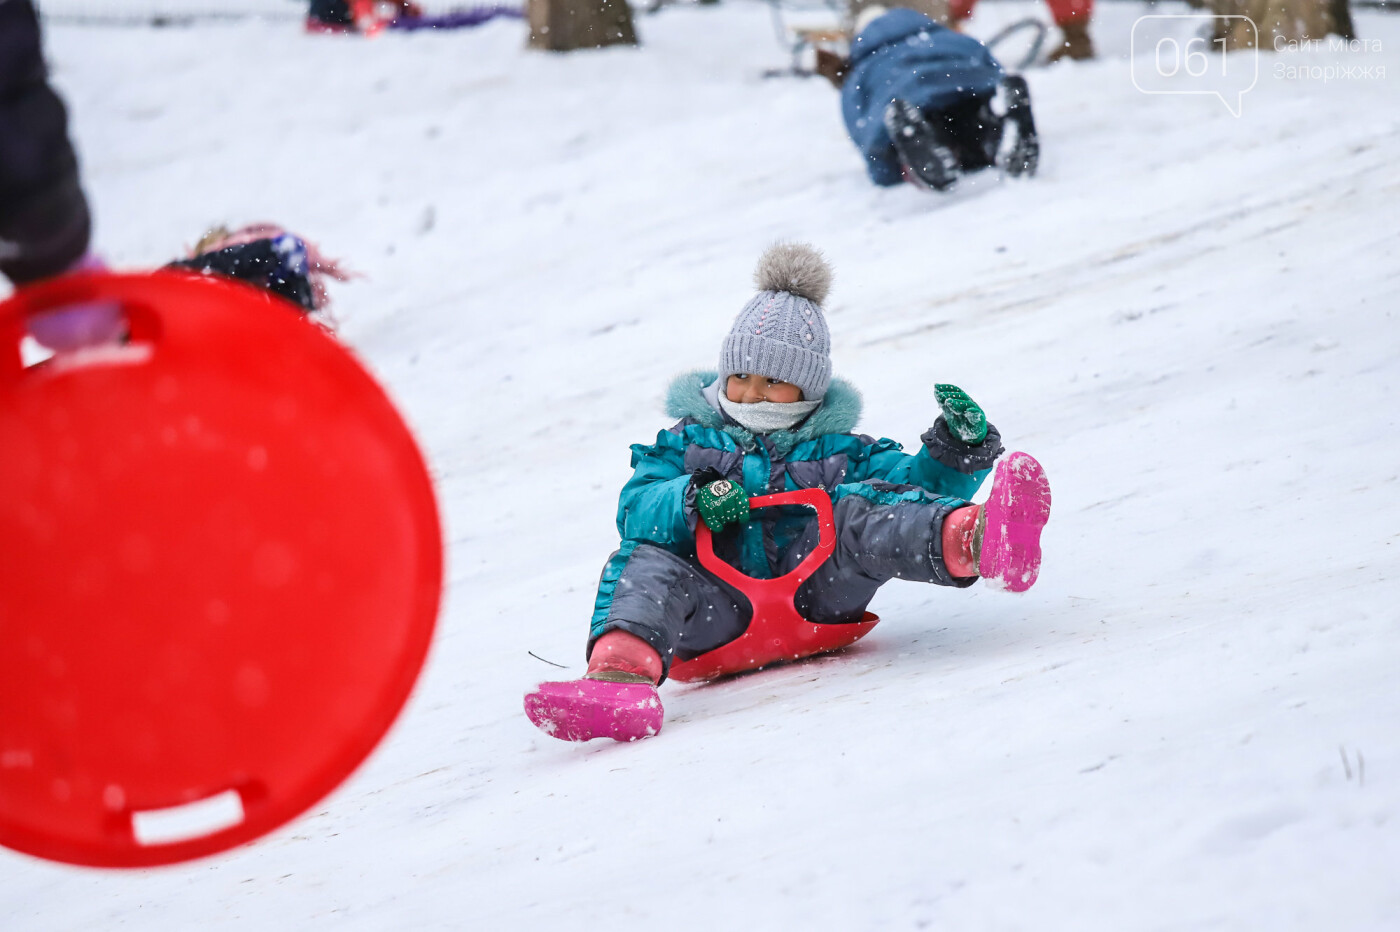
[{"x": 657, "y": 504}]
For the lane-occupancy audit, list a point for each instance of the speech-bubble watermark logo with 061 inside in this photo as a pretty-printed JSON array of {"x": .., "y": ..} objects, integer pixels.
[{"x": 1170, "y": 58}]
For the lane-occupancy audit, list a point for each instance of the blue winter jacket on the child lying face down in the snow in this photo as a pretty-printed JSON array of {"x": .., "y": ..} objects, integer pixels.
[{"x": 909, "y": 57}]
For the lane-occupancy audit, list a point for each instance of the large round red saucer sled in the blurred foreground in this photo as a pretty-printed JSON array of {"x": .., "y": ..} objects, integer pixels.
[{"x": 222, "y": 572}]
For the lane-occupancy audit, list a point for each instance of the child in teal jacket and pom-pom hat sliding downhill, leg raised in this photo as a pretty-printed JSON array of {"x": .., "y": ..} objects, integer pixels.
[{"x": 773, "y": 419}]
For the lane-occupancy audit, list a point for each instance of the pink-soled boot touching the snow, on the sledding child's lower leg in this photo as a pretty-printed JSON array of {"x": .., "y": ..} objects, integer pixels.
[{"x": 583, "y": 710}]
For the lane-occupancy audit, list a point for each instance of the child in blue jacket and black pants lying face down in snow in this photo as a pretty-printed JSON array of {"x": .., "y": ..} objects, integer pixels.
[{"x": 918, "y": 101}]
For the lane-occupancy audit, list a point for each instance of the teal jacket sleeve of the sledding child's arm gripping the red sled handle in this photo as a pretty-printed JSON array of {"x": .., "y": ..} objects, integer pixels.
[{"x": 653, "y": 504}]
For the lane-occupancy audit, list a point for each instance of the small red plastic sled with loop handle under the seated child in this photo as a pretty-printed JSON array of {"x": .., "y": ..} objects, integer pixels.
[{"x": 778, "y": 632}]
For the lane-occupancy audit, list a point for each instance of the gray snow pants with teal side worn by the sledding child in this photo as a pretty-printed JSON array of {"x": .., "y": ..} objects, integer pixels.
[{"x": 682, "y": 611}]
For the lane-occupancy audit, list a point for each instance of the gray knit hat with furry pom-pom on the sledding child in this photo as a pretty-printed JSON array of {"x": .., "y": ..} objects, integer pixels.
[{"x": 782, "y": 332}]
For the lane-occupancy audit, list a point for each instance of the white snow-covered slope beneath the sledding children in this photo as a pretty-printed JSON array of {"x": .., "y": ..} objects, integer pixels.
[{"x": 1192, "y": 723}]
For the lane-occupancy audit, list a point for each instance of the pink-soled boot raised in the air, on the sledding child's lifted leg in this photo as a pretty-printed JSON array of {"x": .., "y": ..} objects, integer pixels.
[{"x": 1013, "y": 520}]
